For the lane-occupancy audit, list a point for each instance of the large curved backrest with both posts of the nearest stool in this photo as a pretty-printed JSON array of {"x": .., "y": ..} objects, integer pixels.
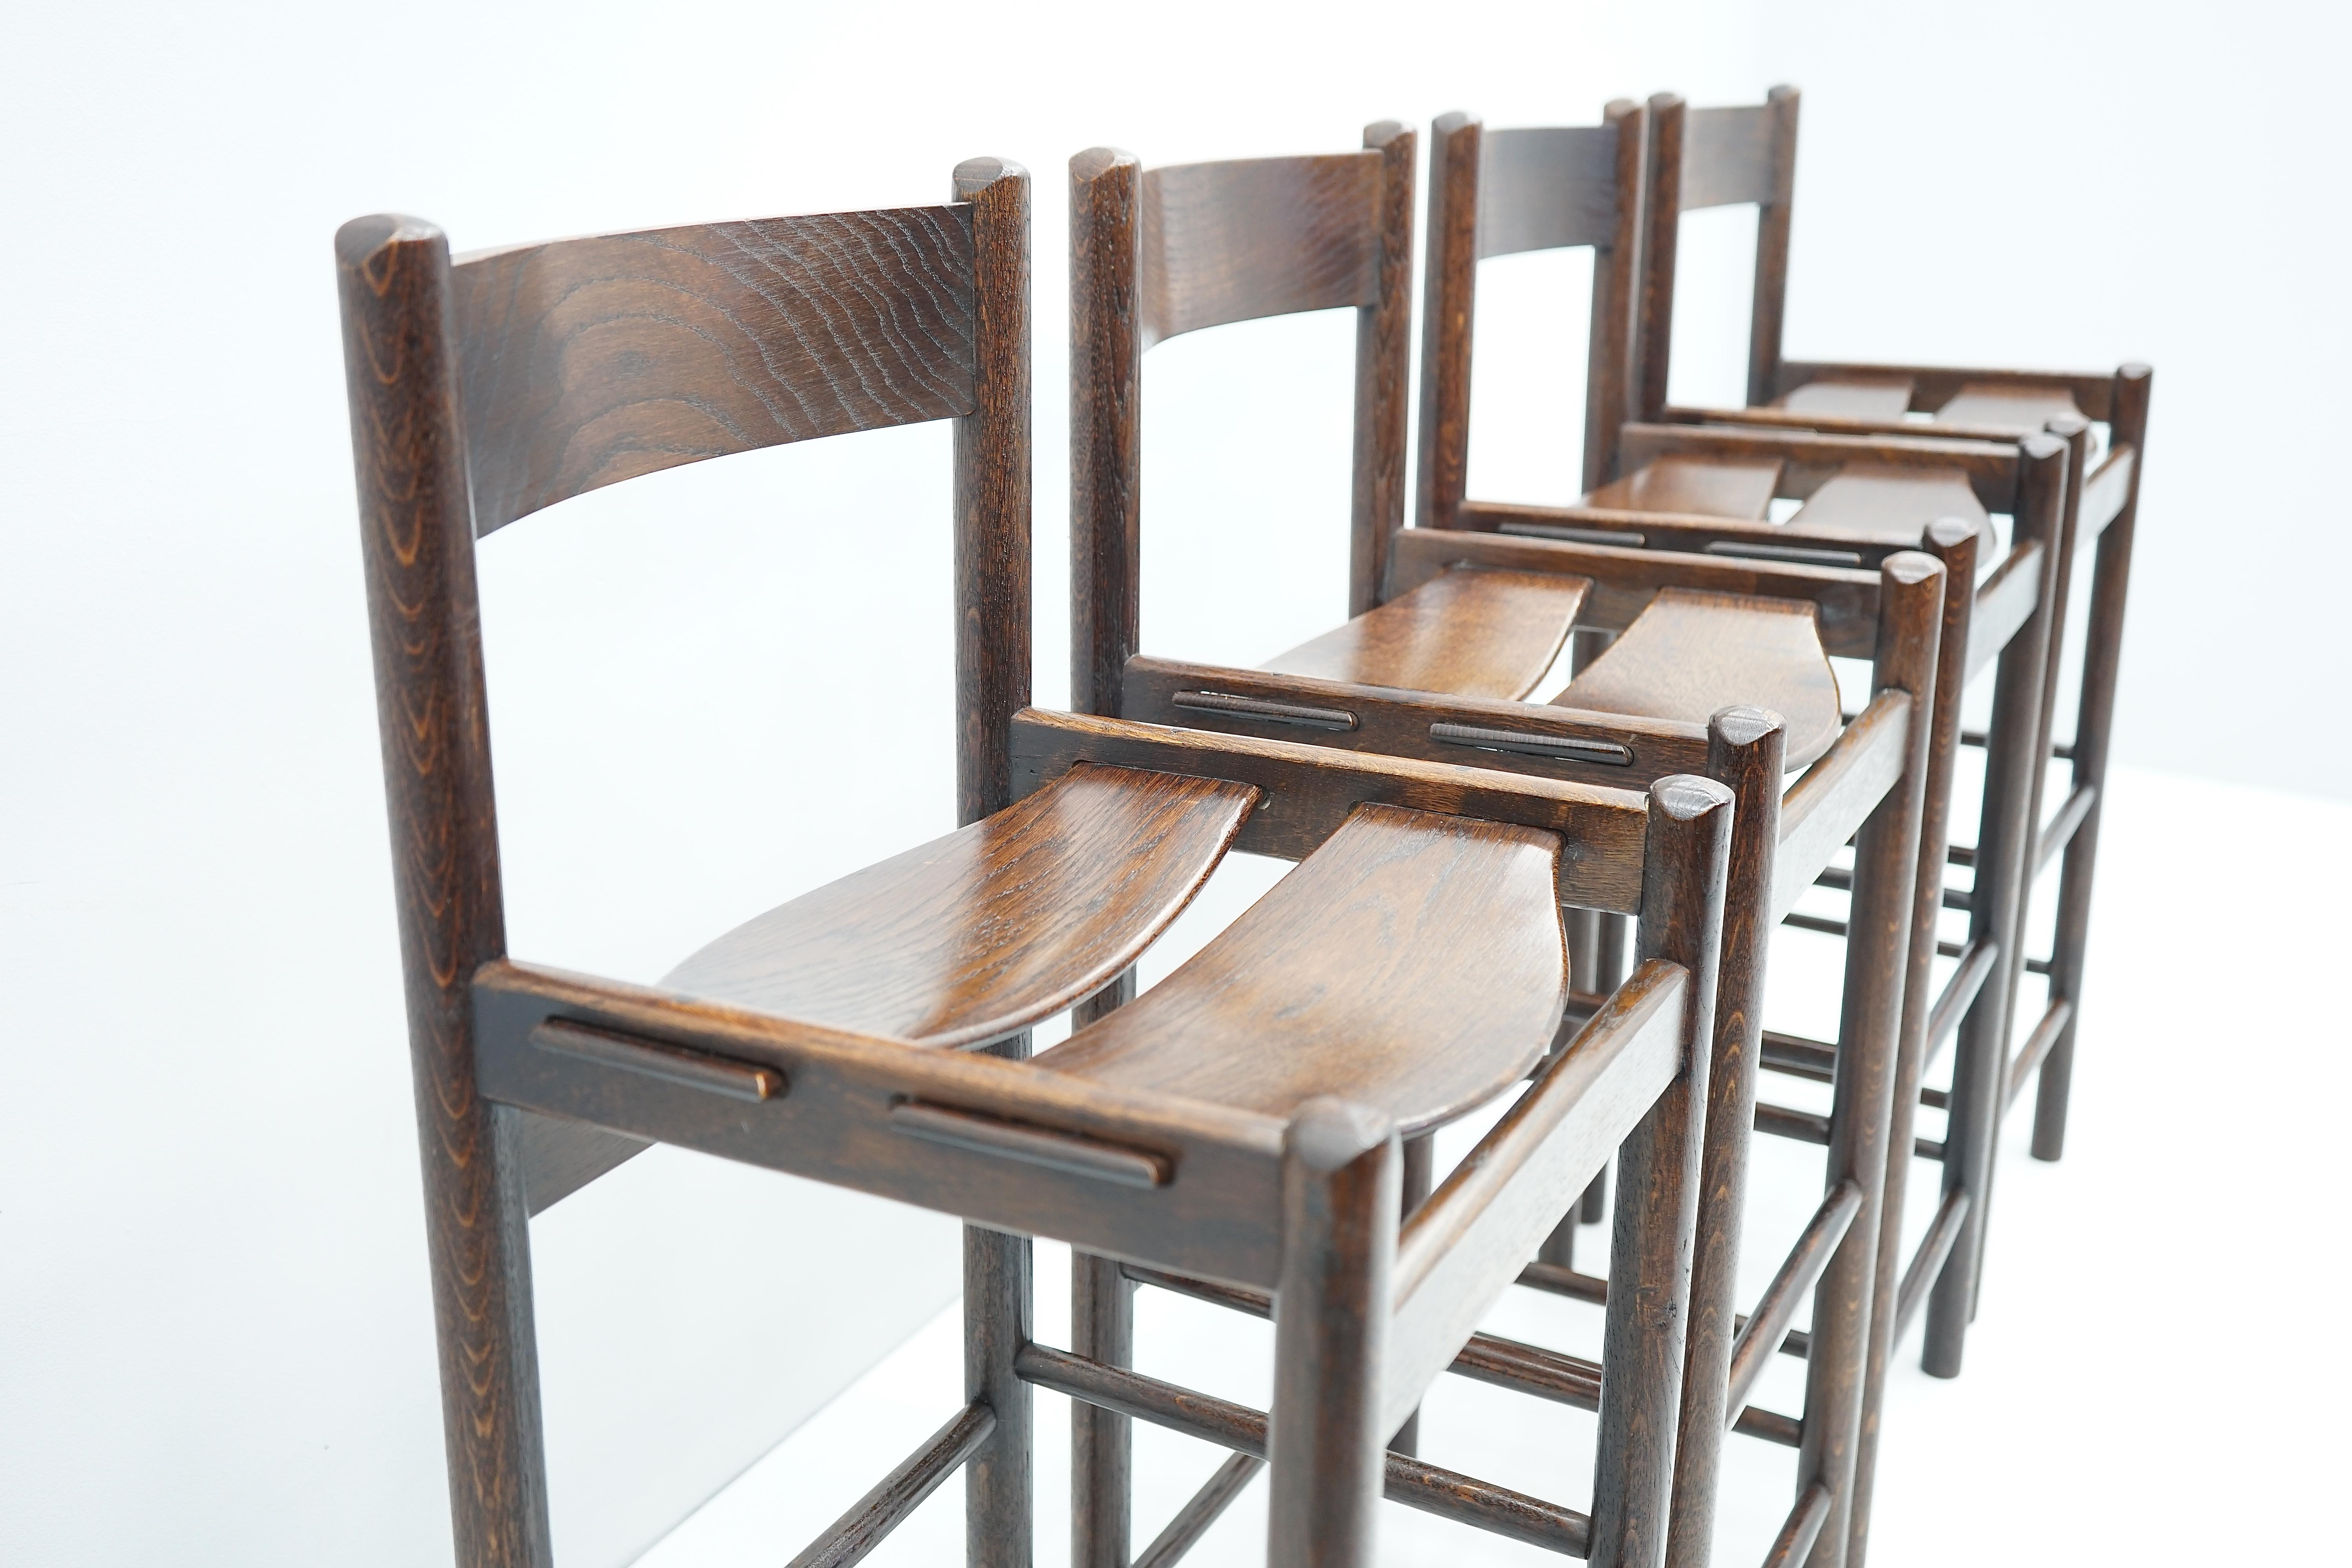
[{"x": 500, "y": 384}]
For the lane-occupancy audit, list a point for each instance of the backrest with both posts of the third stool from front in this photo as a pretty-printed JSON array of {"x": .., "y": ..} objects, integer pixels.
[{"x": 1497, "y": 194}]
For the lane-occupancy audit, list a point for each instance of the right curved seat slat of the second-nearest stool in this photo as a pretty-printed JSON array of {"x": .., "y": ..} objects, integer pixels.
[{"x": 1692, "y": 655}]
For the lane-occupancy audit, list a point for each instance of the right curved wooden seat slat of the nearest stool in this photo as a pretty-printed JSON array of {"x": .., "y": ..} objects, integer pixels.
[{"x": 1412, "y": 965}]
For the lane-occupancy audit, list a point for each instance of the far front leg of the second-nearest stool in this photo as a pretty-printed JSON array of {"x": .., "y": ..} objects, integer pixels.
[{"x": 1869, "y": 1033}]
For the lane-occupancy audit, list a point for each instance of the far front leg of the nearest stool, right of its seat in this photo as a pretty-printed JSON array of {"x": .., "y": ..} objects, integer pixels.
[{"x": 1688, "y": 857}]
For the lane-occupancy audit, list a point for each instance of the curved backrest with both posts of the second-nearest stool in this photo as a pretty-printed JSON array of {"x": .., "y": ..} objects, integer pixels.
[{"x": 1158, "y": 253}]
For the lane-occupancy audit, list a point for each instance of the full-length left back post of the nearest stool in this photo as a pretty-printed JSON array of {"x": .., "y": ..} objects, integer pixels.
[{"x": 408, "y": 443}]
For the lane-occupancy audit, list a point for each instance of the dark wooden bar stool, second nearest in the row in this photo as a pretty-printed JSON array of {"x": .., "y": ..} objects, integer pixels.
[{"x": 1457, "y": 631}]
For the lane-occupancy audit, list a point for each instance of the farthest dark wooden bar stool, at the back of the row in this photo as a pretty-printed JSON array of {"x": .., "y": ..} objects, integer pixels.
[{"x": 1737, "y": 156}]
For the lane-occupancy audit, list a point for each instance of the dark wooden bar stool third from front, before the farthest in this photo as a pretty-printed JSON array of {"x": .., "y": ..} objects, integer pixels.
[{"x": 1864, "y": 492}]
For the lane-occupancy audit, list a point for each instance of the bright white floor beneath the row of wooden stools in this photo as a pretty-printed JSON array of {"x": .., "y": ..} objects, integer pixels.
[{"x": 2153, "y": 1372}]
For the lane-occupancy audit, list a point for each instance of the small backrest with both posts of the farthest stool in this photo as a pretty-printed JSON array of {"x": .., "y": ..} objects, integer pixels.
[{"x": 1718, "y": 159}]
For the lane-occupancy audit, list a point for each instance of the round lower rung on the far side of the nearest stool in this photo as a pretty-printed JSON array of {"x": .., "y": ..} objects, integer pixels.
[{"x": 1217, "y": 1421}]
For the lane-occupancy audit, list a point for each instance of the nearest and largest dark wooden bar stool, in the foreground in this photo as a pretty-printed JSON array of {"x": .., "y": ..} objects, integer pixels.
[{"x": 871, "y": 1033}]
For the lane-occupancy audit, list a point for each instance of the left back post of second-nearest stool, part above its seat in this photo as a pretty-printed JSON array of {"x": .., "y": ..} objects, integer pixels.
[{"x": 1107, "y": 424}]
